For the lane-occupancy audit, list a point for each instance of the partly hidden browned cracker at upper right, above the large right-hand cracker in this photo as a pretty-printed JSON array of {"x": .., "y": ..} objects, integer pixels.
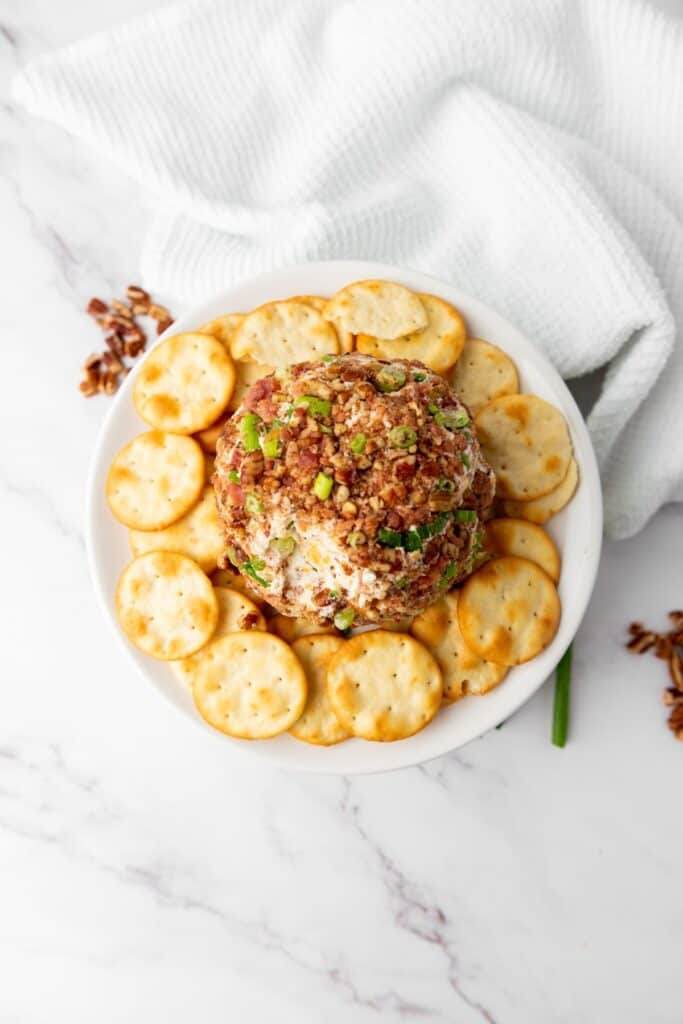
[{"x": 483, "y": 373}]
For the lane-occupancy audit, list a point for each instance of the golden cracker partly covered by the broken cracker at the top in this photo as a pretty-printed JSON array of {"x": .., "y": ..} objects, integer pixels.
[{"x": 439, "y": 346}]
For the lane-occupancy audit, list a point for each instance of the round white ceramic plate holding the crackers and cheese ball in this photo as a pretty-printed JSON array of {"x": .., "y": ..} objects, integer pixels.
[{"x": 577, "y": 531}]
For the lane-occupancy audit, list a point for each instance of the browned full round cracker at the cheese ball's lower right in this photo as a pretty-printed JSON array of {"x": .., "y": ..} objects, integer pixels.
[{"x": 509, "y": 611}]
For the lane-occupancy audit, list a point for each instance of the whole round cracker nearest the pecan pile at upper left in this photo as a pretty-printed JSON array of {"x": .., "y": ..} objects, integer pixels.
[{"x": 185, "y": 383}]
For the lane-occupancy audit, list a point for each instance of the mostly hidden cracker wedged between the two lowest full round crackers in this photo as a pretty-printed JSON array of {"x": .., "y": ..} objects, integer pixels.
[{"x": 318, "y": 724}]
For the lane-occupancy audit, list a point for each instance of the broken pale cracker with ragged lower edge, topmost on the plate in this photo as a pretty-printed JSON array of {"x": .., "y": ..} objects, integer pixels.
[{"x": 381, "y": 309}]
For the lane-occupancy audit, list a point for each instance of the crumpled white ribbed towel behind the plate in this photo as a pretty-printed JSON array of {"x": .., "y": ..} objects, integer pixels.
[{"x": 530, "y": 151}]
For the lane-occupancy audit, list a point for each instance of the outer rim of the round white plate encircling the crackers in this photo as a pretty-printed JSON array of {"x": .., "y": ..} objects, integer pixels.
[{"x": 391, "y": 757}]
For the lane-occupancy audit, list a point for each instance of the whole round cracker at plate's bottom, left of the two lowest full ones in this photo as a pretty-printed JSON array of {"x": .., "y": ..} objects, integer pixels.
[{"x": 249, "y": 686}]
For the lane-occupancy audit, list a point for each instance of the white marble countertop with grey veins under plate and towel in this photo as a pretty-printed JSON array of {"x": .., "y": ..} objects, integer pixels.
[{"x": 148, "y": 875}]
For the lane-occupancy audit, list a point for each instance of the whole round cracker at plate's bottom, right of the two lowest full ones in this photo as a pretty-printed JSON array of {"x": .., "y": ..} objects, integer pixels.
[{"x": 385, "y": 687}]
